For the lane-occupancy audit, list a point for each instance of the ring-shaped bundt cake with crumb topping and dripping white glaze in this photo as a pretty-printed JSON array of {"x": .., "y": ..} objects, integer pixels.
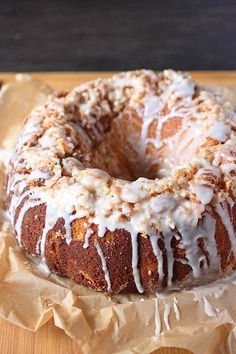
[{"x": 128, "y": 183}]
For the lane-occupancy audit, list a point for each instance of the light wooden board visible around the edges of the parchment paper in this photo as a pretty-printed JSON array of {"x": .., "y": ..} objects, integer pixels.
[{"x": 50, "y": 339}]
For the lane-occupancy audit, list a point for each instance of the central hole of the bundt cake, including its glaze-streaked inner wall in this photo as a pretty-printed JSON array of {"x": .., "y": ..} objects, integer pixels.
[{"x": 119, "y": 149}]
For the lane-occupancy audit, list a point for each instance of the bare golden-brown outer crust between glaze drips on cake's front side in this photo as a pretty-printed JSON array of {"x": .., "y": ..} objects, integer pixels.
[{"x": 84, "y": 265}]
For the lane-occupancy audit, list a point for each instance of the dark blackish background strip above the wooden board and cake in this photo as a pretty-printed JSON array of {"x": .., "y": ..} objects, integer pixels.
[{"x": 117, "y": 35}]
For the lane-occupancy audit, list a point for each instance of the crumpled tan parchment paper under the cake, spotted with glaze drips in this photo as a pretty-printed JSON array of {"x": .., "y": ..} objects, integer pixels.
[{"x": 202, "y": 320}]
